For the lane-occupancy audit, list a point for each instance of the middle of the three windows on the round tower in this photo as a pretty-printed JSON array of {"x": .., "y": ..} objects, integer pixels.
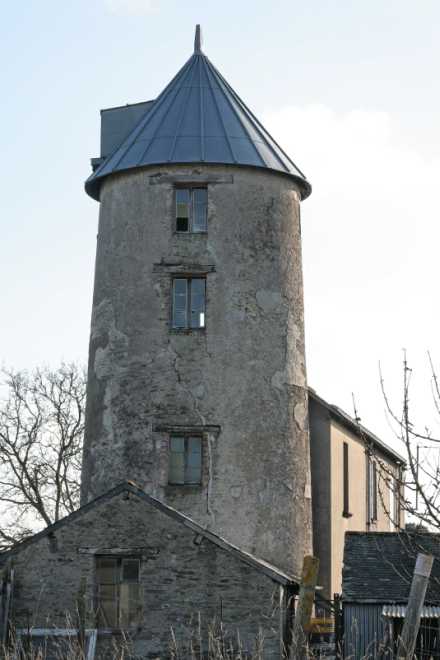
[{"x": 189, "y": 294}]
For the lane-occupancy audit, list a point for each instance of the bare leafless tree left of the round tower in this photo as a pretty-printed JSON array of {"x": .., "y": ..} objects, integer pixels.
[{"x": 41, "y": 435}]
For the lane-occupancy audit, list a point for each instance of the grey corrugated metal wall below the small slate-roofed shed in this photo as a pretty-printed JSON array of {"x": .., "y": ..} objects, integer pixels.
[{"x": 364, "y": 629}]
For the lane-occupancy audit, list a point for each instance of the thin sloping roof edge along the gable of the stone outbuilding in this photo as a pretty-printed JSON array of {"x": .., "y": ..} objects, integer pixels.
[{"x": 261, "y": 565}]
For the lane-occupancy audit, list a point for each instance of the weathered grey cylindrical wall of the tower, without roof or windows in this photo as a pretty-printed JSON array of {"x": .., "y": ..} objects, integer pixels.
[{"x": 241, "y": 381}]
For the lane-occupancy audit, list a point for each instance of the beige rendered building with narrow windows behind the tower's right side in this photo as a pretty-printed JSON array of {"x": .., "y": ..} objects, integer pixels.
[{"x": 355, "y": 479}]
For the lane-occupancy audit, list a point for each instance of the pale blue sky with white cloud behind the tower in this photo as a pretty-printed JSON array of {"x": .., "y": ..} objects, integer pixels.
[{"x": 350, "y": 90}]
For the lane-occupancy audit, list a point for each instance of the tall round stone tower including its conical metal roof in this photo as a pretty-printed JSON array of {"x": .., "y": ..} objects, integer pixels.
[{"x": 197, "y": 382}]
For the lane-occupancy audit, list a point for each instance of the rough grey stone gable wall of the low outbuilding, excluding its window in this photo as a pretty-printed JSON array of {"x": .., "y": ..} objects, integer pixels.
[{"x": 183, "y": 572}]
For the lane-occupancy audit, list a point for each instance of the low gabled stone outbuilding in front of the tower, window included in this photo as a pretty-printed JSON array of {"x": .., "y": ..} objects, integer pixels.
[{"x": 128, "y": 569}]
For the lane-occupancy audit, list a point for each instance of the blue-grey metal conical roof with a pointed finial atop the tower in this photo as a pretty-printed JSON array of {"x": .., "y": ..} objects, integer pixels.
[{"x": 198, "y": 118}]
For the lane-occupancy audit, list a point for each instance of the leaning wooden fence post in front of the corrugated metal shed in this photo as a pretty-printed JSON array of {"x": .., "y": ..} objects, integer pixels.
[{"x": 419, "y": 584}]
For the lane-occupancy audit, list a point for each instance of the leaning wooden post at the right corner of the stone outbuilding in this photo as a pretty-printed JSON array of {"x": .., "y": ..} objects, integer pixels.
[{"x": 304, "y": 608}]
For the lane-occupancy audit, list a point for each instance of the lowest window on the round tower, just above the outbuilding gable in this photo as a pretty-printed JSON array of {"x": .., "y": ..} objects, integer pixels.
[{"x": 185, "y": 459}]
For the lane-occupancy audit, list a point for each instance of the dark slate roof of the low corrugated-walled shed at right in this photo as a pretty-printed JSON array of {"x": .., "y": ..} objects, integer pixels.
[{"x": 378, "y": 566}]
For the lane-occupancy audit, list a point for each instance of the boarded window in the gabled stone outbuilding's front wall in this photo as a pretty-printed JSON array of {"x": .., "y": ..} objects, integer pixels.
[{"x": 118, "y": 591}]
